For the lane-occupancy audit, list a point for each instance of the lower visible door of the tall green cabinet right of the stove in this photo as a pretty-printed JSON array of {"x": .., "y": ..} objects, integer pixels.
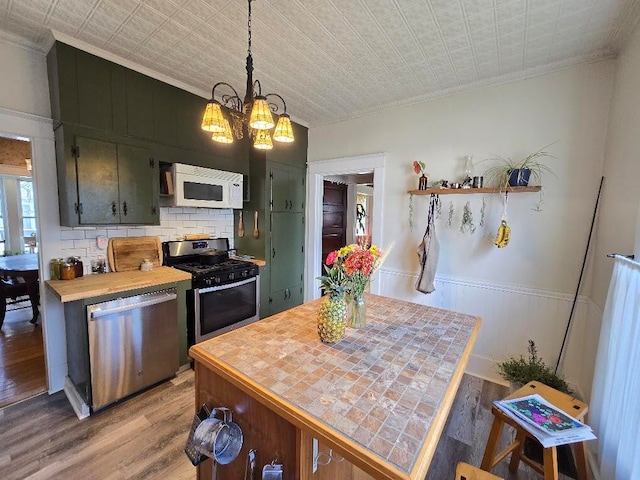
[{"x": 287, "y": 257}]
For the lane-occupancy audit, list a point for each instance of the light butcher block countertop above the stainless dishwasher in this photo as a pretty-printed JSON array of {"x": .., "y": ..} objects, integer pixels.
[{"x": 114, "y": 282}]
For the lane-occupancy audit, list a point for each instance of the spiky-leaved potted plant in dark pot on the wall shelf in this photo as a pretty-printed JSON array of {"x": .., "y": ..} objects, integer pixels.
[{"x": 518, "y": 173}]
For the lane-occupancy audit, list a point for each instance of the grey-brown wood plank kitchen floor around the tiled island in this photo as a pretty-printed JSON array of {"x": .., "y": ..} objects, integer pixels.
[{"x": 143, "y": 438}]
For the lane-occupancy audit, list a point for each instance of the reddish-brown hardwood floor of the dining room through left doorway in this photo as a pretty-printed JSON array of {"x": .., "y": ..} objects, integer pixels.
[{"x": 22, "y": 367}]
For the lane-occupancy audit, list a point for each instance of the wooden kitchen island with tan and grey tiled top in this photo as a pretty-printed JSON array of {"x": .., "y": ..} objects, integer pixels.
[{"x": 379, "y": 398}]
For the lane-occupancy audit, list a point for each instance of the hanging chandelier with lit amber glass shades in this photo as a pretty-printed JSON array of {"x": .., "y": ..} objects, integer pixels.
[{"x": 255, "y": 111}]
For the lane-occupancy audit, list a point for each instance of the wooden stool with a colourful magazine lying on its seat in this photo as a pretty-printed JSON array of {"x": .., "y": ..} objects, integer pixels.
[{"x": 549, "y": 467}]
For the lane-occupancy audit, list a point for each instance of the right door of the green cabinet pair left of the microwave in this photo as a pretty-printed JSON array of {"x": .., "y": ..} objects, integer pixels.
[{"x": 137, "y": 177}]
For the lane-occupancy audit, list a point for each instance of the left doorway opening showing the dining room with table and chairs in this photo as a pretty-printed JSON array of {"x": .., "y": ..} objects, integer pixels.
[{"x": 22, "y": 359}]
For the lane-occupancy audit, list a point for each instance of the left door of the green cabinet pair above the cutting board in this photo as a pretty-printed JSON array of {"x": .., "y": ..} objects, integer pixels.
[{"x": 97, "y": 167}]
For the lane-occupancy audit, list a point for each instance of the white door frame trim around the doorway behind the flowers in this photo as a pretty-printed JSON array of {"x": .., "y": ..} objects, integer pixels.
[{"x": 316, "y": 171}]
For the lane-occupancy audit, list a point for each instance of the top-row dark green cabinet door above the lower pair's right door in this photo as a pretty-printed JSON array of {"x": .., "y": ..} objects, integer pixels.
[{"x": 139, "y": 105}]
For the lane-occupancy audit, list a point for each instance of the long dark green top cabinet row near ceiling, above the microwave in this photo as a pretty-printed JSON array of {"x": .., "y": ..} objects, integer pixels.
[{"x": 89, "y": 91}]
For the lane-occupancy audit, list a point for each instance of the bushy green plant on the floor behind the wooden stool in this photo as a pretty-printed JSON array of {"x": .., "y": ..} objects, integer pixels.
[{"x": 523, "y": 370}]
